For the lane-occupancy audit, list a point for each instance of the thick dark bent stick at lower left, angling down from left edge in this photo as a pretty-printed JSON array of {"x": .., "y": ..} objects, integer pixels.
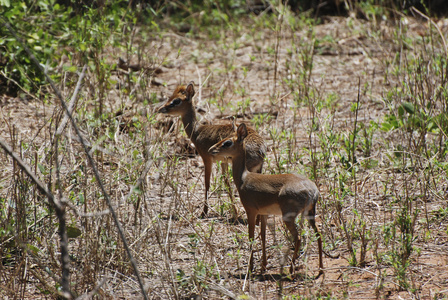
[{"x": 60, "y": 213}]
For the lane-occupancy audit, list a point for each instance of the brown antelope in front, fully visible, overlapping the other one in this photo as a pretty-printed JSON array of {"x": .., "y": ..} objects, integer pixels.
[{"x": 284, "y": 195}]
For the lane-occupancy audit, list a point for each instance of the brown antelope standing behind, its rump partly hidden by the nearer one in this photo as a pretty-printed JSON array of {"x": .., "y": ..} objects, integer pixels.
[{"x": 204, "y": 136}]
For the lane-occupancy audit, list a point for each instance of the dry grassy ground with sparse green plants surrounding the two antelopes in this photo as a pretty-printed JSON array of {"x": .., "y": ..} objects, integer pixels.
[{"x": 356, "y": 100}]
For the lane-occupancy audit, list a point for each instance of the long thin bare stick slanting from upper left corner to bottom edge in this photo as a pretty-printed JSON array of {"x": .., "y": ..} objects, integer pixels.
[{"x": 90, "y": 159}]
